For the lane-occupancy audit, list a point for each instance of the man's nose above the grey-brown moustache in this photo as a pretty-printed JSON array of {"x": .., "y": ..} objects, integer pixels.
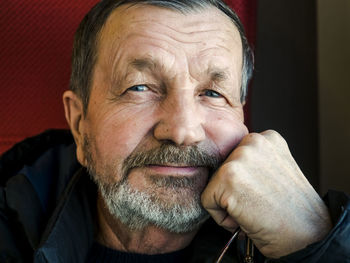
[{"x": 181, "y": 120}]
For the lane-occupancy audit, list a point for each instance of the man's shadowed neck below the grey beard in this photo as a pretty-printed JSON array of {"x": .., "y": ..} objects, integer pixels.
[{"x": 150, "y": 240}]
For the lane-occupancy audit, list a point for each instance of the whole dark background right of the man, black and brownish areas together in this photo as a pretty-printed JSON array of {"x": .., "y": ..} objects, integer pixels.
[{"x": 297, "y": 80}]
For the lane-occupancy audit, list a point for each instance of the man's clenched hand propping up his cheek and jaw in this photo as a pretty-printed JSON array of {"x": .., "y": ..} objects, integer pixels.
[{"x": 261, "y": 189}]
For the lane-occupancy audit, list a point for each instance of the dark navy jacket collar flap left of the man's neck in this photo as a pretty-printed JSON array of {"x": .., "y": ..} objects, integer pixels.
[{"x": 70, "y": 231}]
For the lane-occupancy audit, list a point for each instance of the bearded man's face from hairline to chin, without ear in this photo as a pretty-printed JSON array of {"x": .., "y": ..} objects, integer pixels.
[{"x": 164, "y": 110}]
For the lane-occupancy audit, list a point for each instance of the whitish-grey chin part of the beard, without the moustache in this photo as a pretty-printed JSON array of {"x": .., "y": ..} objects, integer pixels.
[{"x": 139, "y": 209}]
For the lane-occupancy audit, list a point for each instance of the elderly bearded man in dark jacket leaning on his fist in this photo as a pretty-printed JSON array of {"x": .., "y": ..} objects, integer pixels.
[{"x": 156, "y": 112}]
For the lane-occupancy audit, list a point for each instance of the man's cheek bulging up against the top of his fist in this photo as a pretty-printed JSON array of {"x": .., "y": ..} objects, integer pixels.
[{"x": 226, "y": 132}]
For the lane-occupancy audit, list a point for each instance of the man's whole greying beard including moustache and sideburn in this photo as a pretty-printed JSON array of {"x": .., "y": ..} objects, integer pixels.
[{"x": 171, "y": 203}]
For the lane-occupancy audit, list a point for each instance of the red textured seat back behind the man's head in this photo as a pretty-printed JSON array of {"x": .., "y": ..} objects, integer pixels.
[{"x": 35, "y": 50}]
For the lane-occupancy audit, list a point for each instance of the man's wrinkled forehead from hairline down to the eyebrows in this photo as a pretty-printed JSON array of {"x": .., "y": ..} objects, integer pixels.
[{"x": 183, "y": 45}]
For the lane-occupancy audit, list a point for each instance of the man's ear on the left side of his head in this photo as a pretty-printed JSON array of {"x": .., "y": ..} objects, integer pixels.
[{"x": 73, "y": 108}]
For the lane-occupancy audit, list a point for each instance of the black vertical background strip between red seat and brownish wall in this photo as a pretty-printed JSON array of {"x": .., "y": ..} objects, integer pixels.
[{"x": 284, "y": 92}]
